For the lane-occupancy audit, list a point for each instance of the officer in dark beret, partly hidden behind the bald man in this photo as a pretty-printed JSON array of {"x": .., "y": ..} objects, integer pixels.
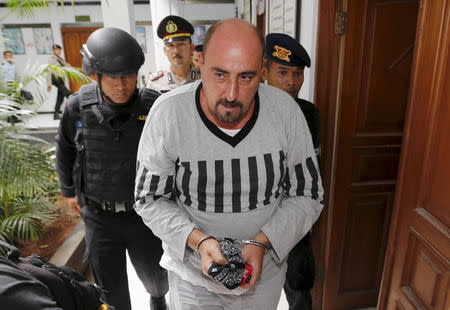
[{"x": 284, "y": 64}]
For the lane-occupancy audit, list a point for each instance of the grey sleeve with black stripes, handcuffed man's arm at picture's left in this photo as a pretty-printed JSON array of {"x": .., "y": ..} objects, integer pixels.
[{"x": 155, "y": 190}]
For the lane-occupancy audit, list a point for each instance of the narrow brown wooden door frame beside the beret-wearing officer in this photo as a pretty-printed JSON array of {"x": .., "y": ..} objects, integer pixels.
[{"x": 328, "y": 75}]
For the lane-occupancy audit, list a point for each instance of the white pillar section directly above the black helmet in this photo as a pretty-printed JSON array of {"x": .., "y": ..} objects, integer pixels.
[{"x": 119, "y": 14}]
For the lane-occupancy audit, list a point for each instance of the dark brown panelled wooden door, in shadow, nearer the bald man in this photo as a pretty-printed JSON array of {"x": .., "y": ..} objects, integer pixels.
[{"x": 376, "y": 65}]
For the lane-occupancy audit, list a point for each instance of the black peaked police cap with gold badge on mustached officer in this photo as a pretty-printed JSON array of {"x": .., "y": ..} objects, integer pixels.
[{"x": 173, "y": 28}]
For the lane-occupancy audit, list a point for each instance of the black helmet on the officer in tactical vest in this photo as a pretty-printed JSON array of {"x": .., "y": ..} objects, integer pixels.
[{"x": 113, "y": 52}]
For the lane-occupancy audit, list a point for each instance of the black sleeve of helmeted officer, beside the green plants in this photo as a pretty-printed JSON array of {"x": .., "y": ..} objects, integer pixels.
[{"x": 66, "y": 152}]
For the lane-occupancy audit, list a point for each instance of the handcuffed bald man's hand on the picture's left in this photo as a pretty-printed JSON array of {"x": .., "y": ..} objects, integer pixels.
[{"x": 209, "y": 250}]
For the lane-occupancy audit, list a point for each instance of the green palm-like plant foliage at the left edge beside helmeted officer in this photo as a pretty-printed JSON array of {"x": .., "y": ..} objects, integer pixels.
[{"x": 27, "y": 176}]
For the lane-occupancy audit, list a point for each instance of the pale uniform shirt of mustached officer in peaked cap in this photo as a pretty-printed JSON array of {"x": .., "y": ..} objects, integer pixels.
[{"x": 163, "y": 81}]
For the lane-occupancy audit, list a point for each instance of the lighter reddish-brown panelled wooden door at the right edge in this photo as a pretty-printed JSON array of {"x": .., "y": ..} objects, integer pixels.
[{"x": 417, "y": 269}]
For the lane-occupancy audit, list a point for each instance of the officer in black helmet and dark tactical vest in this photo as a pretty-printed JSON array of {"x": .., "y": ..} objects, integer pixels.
[{"x": 96, "y": 161}]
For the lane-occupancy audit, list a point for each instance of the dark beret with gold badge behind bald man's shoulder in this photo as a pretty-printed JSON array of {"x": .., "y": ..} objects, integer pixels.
[{"x": 285, "y": 50}]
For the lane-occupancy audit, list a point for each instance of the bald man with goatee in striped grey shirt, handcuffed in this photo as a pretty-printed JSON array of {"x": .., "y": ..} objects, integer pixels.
[{"x": 227, "y": 178}]
